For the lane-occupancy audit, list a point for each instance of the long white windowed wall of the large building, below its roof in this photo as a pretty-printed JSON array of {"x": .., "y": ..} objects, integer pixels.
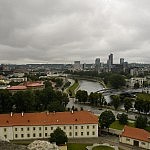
[{"x": 40, "y": 132}]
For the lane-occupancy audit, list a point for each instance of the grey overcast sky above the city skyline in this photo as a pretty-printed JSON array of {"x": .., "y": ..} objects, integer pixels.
[{"x": 62, "y": 31}]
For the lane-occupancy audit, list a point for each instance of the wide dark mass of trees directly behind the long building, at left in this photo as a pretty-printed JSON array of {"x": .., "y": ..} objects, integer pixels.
[{"x": 32, "y": 101}]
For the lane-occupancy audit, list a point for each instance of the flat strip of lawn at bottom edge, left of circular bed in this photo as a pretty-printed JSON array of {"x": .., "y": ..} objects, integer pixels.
[{"x": 77, "y": 146}]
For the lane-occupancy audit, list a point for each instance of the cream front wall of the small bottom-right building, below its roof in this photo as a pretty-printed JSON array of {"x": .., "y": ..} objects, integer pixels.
[{"x": 130, "y": 141}]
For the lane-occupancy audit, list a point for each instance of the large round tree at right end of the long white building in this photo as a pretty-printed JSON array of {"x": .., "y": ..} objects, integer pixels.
[{"x": 106, "y": 119}]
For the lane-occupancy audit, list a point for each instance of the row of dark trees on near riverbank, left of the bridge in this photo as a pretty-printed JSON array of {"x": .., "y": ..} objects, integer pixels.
[{"x": 95, "y": 98}]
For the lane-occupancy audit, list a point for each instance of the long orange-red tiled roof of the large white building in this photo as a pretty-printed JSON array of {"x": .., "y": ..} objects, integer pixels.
[{"x": 43, "y": 118}]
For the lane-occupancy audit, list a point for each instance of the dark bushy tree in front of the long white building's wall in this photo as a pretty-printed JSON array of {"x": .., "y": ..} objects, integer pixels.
[{"x": 58, "y": 136}]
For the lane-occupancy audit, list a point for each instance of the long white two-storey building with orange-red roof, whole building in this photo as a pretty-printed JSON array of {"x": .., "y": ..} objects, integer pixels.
[{"x": 22, "y": 126}]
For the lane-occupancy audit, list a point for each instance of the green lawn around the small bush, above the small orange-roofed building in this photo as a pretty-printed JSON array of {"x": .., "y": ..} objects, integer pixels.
[{"x": 118, "y": 126}]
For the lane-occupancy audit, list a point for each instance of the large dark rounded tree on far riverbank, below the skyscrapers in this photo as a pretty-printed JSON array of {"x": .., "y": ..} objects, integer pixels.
[{"x": 117, "y": 81}]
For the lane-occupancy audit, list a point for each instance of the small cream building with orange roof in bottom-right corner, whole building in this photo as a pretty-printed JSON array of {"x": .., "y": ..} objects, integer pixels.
[{"x": 135, "y": 136}]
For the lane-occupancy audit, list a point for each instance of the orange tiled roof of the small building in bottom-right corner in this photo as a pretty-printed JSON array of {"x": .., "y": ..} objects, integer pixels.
[{"x": 136, "y": 133}]
